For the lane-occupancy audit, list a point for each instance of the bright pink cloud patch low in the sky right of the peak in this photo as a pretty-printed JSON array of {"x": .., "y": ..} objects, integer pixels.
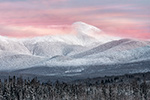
[{"x": 129, "y": 31}]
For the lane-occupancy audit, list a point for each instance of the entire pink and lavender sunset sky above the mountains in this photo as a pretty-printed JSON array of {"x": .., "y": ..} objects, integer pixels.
[{"x": 30, "y": 18}]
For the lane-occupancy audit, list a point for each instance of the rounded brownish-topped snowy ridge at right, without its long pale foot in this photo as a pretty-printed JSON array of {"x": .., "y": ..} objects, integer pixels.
[{"x": 122, "y": 51}]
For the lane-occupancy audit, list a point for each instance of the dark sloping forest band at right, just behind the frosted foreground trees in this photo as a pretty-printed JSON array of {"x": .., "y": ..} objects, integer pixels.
[{"x": 127, "y": 78}]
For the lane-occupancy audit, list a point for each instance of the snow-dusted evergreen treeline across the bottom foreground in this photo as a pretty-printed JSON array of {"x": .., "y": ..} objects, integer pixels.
[{"x": 104, "y": 89}]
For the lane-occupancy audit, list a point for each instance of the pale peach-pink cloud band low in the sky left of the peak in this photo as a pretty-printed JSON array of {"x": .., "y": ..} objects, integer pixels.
[{"x": 30, "y": 31}]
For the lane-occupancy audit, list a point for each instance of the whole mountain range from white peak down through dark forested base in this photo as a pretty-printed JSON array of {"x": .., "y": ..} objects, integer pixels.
[{"x": 86, "y": 52}]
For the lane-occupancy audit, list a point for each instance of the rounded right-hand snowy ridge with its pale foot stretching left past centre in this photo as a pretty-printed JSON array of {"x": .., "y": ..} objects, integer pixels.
[{"x": 120, "y": 51}]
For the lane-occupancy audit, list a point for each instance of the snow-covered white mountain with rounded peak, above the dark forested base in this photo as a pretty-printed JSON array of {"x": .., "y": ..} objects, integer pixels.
[{"x": 86, "y": 45}]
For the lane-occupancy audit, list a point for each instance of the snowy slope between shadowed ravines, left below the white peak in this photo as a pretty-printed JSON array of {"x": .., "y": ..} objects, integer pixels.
[{"x": 50, "y": 49}]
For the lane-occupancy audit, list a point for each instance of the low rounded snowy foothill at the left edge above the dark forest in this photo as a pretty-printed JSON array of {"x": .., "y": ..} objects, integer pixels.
[{"x": 19, "y": 61}]
